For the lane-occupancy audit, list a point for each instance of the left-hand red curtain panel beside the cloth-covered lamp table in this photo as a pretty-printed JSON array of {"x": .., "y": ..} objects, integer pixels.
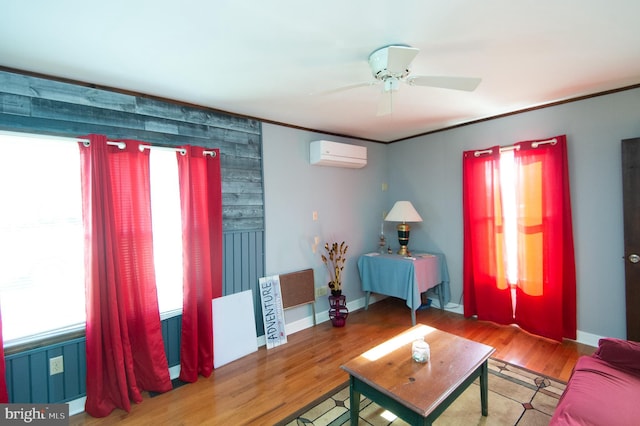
[{"x": 486, "y": 293}]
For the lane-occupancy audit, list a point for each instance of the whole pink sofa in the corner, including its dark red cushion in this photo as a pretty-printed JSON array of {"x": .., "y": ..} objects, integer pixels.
[{"x": 604, "y": 389}]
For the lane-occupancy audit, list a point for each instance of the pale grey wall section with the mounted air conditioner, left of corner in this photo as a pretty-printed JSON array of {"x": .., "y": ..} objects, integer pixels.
[{"x": 349, "y": 202}]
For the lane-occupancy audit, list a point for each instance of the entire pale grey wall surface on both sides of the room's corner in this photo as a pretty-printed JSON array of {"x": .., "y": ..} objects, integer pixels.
[{"x": 428, "y": 171}]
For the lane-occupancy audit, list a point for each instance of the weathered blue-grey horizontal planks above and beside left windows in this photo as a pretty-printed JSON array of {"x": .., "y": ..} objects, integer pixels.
[{"x": 37, "y": 105}]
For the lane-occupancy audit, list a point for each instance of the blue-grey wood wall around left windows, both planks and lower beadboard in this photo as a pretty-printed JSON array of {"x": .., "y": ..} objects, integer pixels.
[{"x": 46, "y": 106}]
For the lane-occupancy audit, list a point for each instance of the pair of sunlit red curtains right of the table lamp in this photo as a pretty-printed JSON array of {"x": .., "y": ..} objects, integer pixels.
[{"x": 545, "y": 292}]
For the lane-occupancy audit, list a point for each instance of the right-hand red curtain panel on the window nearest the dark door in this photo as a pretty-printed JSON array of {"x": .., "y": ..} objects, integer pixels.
[{"x": 546, "y": 288}]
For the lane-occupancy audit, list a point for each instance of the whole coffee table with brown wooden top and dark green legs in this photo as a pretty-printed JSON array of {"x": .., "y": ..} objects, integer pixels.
[{"x": 418, "y": 393}]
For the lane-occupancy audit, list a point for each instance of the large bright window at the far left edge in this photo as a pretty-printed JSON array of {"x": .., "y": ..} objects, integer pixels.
[{"x": 41, "y": 237}]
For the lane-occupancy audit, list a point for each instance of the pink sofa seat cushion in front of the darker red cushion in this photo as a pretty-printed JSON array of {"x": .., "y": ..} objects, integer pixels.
[{"x": 599, "y": 394}]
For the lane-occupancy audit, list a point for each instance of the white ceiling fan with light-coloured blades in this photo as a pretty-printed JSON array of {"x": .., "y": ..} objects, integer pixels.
[{"x": 390, "y": 66}]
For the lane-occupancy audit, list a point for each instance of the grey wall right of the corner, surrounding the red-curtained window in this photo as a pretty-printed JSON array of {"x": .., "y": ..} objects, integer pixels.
[{"x": 428, "y": 170}]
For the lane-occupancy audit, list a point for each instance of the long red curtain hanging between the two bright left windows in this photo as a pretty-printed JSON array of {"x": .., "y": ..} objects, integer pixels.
[{"x": 125, "y": 350}]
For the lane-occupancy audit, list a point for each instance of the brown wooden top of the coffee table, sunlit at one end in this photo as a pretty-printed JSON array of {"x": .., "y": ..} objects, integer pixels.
[{"x": 422, "y": 387}]
